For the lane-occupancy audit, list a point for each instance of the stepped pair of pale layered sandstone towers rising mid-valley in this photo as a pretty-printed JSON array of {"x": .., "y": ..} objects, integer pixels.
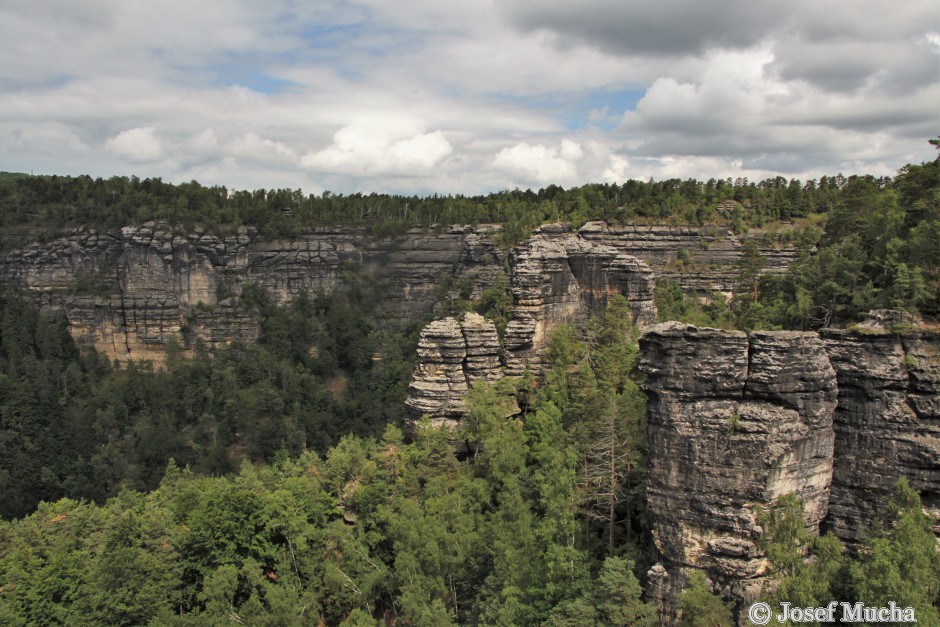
[{"x": 556, "y": 278}]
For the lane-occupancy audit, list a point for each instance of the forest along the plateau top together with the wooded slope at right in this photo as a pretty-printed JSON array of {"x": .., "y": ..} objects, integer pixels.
[{"x": 865, "y": 242}]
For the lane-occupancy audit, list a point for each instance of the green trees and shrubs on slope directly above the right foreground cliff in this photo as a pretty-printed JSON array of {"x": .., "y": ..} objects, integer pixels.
[{"x": 878, "y": 247}]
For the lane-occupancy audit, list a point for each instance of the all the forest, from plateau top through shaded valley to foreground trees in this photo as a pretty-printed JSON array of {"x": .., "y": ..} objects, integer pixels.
[{"x": 274, "y": 483}]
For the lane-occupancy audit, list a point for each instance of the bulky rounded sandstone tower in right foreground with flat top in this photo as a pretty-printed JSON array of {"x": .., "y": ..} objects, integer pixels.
[{"x": 734, "y": 422}]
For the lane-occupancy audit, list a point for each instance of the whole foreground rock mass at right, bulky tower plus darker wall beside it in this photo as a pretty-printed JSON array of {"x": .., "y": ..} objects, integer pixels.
[{"x": 737, "y": 421}]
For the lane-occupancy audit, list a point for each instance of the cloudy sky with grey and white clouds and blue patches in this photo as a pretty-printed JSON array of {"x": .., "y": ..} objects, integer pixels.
[{"x": 425, "y": 96}]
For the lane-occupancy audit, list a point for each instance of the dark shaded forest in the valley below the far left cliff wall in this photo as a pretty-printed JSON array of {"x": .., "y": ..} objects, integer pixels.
[{"x": 70, "y": 424}]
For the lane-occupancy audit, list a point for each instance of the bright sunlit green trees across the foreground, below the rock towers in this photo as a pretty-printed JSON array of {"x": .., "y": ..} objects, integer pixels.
[{"x": 542, "y": 523}]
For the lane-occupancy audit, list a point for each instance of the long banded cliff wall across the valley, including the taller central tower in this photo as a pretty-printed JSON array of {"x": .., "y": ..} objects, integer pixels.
[{"x": 130, "y": 291}]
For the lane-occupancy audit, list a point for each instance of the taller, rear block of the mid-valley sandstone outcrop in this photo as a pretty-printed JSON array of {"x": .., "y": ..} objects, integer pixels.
[{"x": 560, "y": 277}]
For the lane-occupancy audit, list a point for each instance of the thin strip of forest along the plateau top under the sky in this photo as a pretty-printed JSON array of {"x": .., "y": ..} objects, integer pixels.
[{"x": 54, "y": 202}]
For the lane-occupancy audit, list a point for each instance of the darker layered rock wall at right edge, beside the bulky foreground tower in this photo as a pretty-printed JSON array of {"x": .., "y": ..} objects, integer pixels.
[{"x": 887, "y": 424}]
